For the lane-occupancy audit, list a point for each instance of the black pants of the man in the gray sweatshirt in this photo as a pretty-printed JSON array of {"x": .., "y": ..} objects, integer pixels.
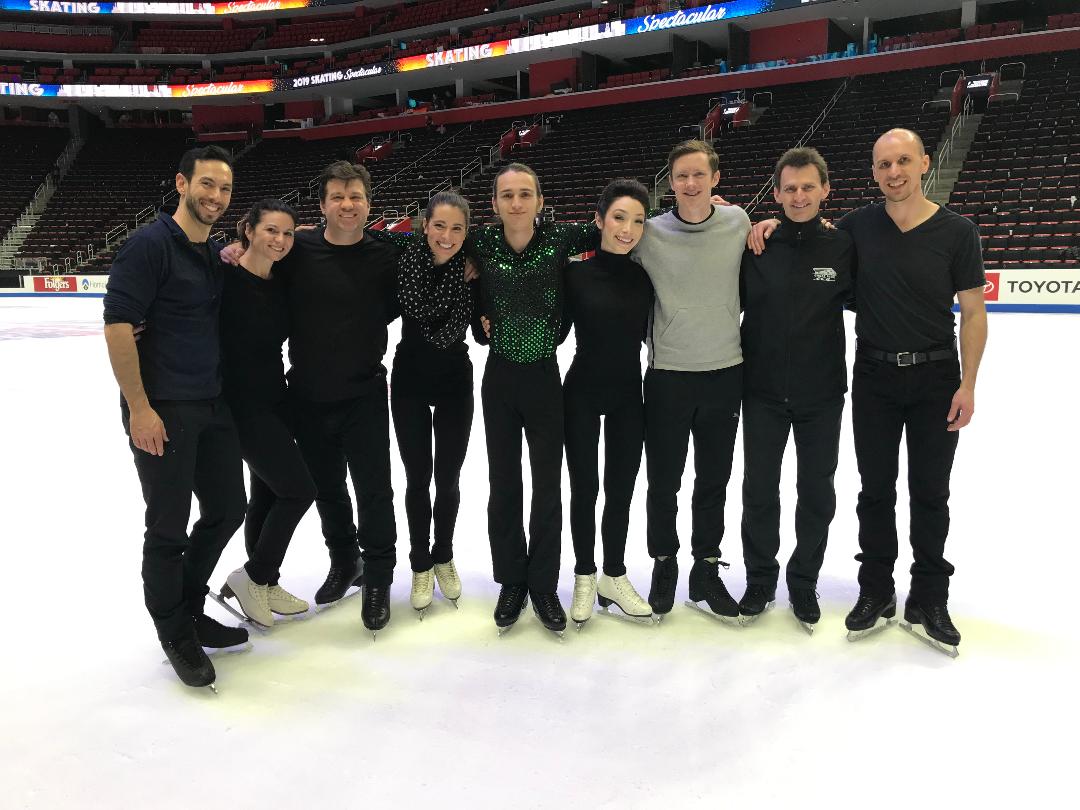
[{"x": 679, "y": 404}]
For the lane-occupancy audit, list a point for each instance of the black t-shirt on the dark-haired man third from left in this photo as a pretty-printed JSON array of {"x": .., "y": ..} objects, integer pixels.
[{"x": 341, "y": 300}]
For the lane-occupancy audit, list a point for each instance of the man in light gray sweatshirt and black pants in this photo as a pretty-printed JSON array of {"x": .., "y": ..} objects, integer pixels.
[{"x": 694, "y": 384}]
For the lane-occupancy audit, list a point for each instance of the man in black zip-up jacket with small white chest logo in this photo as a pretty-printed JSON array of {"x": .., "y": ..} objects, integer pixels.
[{"x": 795, "y": 379}]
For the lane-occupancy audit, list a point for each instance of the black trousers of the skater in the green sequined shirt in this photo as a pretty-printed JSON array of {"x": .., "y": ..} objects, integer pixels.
[{"x": 524, "y": 398}]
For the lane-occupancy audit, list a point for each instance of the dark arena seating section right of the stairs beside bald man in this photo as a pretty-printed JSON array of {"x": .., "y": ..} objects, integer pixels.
[{"x": 1021, "y": 181}]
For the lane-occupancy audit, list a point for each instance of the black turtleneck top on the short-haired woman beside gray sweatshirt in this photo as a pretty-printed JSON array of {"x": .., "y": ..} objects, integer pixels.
[{"x": 607, "y": 301}]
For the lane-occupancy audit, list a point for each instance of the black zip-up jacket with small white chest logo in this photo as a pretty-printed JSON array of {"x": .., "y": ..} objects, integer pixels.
[{"x": 793, "y": 299}]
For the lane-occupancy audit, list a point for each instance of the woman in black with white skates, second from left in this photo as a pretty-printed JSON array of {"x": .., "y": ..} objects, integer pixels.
[{"x": 254, "y": 328}]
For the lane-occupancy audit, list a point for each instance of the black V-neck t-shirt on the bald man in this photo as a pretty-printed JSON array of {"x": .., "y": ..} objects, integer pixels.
[{"x": 908, "y": 281}]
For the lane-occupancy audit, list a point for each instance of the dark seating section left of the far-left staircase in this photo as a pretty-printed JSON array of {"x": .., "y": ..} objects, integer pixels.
[{"x": 30, "y": 156}]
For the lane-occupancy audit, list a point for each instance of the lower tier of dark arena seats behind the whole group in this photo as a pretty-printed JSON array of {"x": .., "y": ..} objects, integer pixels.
[{"x": 1021, "y": 180}]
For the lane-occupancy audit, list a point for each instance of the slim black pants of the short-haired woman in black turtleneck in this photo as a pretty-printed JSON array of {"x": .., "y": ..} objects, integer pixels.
[{"x": 624, "y": 437}]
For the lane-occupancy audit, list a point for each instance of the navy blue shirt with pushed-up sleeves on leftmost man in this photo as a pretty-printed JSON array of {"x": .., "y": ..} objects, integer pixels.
[{"x": 174, "y": 286}]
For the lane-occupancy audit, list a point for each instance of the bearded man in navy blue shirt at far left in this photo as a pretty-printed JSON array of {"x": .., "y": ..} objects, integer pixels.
[{"x": 168, "y": 277}]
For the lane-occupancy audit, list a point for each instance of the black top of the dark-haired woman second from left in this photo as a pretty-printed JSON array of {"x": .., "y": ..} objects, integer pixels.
[{"x": 254, "y": 328}]
